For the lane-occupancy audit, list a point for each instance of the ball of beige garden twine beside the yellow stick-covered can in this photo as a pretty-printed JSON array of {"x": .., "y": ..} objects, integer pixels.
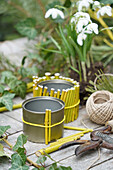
[{"x": 99, "y": 106}]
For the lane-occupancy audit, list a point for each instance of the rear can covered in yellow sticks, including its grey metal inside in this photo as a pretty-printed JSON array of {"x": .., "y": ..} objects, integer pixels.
[{"x": 63, "y": 88}]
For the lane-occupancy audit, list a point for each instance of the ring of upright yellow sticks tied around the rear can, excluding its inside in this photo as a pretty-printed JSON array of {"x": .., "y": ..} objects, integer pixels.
[{"x": 70, "y": 96}]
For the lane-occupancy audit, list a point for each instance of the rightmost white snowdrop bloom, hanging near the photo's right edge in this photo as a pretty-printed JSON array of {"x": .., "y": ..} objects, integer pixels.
[{"x": 104, "y": 10}]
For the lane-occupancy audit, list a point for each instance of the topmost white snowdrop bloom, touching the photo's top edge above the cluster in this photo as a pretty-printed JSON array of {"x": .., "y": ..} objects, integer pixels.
[{"x": 83, "y": 4}]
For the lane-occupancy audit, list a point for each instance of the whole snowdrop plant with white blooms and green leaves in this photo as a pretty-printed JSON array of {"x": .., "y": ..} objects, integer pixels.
[{"x": 76, "y": 33}]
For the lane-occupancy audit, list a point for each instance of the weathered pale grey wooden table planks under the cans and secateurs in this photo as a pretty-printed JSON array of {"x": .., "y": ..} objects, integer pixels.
[{"x": 66, "y": 156}]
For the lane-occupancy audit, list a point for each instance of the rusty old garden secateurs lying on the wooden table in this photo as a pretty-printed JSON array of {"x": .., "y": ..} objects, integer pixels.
[{"x": 99, "y": 138}]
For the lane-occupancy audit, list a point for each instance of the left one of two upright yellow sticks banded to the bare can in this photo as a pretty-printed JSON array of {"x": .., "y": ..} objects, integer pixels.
[{"x": 46, "y": 128}]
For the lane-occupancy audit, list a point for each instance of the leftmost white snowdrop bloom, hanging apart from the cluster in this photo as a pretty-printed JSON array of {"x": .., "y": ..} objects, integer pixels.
[{"x": 54, "y": 13}]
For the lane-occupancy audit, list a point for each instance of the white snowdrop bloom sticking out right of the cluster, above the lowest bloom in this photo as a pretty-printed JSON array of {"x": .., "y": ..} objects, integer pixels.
[{"x": 93, "y": 27}]
